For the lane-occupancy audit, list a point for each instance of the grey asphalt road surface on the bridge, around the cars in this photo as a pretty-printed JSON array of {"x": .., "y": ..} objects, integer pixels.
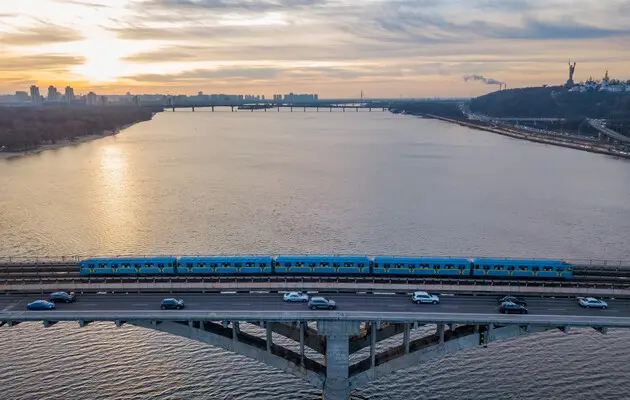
[{"x": 345, "y": 302}]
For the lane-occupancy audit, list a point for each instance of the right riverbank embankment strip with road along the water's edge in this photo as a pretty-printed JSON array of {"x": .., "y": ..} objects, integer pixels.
[{"x": 532, "y": 138}]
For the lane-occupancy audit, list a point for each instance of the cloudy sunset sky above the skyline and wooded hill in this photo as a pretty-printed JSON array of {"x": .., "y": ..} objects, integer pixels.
[{"x": 336, "y": 48}]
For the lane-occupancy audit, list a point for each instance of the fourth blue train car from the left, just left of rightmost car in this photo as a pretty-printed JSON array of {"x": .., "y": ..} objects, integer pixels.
[{"x": 420, "y": 266}]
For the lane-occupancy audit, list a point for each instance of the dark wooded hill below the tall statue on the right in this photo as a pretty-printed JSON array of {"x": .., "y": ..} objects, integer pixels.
[{"x": 550, "y": 102}]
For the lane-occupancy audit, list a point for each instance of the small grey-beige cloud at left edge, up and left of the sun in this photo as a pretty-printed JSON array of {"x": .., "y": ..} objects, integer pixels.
[{"x": 38, "y": 35}]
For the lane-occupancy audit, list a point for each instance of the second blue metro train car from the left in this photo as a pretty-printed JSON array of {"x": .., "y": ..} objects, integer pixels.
[{"x": 225, "y": 265}]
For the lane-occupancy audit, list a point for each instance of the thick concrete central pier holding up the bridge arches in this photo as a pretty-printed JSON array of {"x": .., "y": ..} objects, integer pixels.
[{"x": 337, "y": 358}]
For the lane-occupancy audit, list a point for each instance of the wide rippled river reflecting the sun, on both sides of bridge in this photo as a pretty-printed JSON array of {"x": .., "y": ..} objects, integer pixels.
[{"x": 366, "y": 183}]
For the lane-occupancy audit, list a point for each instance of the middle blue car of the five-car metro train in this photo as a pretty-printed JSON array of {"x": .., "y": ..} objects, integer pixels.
[{"x": 322, "y": 265}]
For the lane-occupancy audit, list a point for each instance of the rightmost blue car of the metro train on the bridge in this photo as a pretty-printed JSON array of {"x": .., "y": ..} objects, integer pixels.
[{"x": 522, "y": 268}]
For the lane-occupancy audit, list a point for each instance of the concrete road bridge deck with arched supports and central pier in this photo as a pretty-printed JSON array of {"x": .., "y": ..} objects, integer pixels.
[{"x": 345, "y": 346}]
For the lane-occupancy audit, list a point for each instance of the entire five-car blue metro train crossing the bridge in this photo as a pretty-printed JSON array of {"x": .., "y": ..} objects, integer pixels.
[{"x": 327, "y": 265}]
